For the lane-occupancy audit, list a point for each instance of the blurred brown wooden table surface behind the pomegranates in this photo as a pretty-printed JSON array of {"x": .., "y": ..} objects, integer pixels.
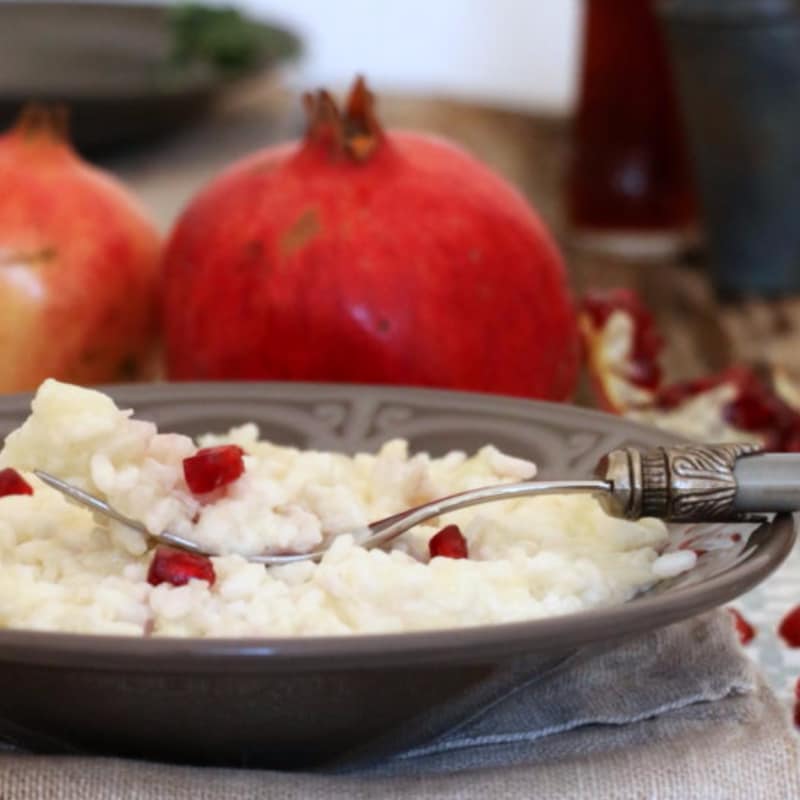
[{"x": 703, "y": 334}]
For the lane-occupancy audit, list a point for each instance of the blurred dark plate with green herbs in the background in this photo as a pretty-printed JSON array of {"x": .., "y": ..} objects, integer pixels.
[{"x": 127, "y": 73}]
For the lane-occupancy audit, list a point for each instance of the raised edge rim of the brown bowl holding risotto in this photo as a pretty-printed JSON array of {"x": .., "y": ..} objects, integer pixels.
[{"x": 774, "y": 540}]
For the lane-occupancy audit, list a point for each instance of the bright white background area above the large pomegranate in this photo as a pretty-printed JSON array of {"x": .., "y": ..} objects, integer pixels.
[{"x": 513, "y": 52}]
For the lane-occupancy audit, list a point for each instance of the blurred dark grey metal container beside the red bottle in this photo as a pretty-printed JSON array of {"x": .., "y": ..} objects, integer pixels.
[{"x": 737, "y": 69}]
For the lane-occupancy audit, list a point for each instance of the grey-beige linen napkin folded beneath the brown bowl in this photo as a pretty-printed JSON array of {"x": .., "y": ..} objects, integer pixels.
[{"x": 680, "y": 712}]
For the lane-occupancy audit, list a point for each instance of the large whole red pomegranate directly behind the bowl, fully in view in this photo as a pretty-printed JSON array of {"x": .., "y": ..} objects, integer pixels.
[{"x": 359, "y": 255}]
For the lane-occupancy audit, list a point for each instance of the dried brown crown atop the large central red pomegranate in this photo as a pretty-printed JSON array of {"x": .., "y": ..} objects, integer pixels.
[{"x": 354, "y": 134}]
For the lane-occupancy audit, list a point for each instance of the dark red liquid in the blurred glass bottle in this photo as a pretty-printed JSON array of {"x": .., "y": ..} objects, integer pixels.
[{"x": 630, "y": 171}]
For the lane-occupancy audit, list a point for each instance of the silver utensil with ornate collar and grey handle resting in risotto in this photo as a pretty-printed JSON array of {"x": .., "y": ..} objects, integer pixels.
[{"x": 690, "y": 483}]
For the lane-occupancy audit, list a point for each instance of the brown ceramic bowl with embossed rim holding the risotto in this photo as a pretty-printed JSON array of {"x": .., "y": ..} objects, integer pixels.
[{"x": 304, "y": 701}]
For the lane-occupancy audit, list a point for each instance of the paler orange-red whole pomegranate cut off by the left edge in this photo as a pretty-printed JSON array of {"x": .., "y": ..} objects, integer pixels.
[{"x": 78, "y": 264}]
